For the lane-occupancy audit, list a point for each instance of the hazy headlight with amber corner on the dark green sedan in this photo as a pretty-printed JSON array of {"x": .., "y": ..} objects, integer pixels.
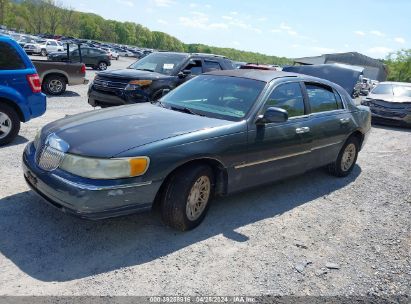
[{"x": 104, "y": 168}]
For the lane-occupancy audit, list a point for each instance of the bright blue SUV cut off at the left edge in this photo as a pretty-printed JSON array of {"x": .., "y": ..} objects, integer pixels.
[{"x": 20, "y": 90}]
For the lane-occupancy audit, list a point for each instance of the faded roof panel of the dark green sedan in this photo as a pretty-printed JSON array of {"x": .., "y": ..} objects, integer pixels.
[{"x": 261, "y": 75}]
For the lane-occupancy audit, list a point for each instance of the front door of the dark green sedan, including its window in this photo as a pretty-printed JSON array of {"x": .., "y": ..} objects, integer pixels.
[{"x": 278, "y": 150}]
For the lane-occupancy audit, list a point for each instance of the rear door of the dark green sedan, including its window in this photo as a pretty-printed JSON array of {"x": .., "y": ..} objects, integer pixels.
[{"x": 330, "y": 123}]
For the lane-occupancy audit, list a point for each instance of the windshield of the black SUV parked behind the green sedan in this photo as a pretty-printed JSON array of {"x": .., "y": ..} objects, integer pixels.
[{"x": 163, "y": 63}]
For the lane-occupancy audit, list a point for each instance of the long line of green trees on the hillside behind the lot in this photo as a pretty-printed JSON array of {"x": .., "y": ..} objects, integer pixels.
[{"x": 51, "y": 17}]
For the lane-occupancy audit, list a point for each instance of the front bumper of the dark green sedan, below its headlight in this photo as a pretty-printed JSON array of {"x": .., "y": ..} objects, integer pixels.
[{"x": 86, "y": 198}]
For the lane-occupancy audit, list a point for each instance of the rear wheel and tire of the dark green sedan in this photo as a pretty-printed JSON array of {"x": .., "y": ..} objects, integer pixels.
[{"x": 346, "y": 159}]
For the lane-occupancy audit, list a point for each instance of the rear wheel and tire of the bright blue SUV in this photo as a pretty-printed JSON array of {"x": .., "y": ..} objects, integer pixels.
[{"x": 9, "y": 124}]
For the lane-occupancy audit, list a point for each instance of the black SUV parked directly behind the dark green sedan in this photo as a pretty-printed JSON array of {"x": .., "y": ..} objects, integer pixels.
[{"x": 147, "y": 79}]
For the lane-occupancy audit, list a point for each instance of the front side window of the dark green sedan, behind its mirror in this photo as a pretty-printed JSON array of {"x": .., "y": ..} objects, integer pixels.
[{"x": 287, "y": 96}]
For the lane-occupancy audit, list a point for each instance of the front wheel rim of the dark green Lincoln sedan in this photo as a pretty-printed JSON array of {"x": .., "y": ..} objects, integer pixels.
[{"x": 198, "y": 198}]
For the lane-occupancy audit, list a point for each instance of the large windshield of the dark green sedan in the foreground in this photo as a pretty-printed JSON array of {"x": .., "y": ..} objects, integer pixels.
[{"x": 222, "y": 97}]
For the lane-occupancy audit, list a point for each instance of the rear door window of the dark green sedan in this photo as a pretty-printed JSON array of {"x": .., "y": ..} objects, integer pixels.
[{"x": 321, "y": 98}]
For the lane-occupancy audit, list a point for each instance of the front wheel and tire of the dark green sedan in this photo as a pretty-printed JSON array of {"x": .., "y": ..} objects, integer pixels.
[{"x": 193, "y": 183}]
